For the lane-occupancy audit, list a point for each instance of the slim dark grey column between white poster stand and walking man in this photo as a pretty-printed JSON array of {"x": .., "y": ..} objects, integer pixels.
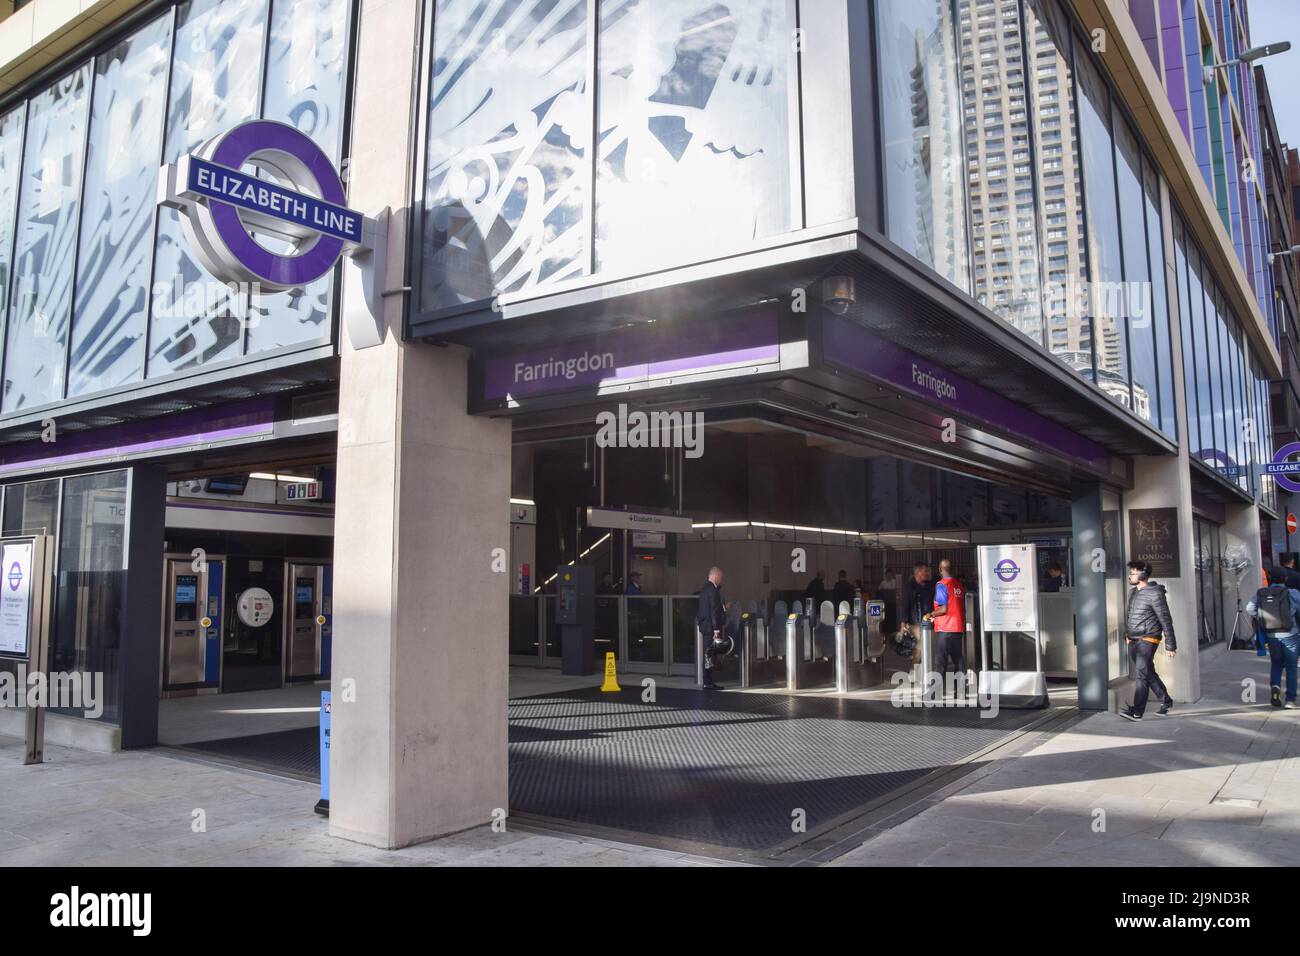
[{"x": 1090, "y": 598}]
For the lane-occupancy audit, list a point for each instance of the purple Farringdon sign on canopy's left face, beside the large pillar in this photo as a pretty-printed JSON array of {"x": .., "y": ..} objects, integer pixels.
[{"x": 635, "y": 356}]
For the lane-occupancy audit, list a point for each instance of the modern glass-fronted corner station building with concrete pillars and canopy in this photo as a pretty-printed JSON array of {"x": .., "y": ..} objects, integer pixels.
[{"x": 935, "y": 274}]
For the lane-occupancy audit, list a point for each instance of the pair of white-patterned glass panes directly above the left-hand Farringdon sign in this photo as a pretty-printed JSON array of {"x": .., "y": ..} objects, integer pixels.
[{"x": 541, "y": 179}]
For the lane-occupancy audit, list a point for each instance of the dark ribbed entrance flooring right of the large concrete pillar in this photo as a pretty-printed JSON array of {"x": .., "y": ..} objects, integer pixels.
[{"x": 730, "y": 771}]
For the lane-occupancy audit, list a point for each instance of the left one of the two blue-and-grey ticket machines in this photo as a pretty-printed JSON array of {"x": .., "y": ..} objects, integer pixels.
[{"x": 192, "y": 631}]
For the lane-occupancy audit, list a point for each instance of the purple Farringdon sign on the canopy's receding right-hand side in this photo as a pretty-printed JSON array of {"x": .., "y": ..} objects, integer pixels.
[{"x": 847, "y": 345}]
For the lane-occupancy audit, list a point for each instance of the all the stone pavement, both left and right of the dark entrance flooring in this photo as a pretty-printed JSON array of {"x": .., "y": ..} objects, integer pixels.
[{"x": 1215, "y": 784}]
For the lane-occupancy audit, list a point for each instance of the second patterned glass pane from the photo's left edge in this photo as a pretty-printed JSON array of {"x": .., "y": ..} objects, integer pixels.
[{"x": 49, "y": 202}]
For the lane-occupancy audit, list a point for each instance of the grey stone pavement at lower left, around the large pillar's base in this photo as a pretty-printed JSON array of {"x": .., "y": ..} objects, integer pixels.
[{"x": 137, "y": 810}]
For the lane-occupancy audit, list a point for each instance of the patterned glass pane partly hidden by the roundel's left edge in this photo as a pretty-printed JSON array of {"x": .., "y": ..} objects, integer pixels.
[{"x": 216, "y": 67}]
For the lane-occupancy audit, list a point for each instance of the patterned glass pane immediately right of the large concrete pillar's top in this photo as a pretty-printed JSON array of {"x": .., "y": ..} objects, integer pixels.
[{"x": 509, "y": 128}]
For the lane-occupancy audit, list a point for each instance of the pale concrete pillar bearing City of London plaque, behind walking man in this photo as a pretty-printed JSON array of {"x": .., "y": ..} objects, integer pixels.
[{"x": 1164, "y": 482}]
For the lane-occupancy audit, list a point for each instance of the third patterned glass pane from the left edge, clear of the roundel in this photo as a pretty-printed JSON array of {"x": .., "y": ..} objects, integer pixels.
[{"x": 111, "y": 309}]
